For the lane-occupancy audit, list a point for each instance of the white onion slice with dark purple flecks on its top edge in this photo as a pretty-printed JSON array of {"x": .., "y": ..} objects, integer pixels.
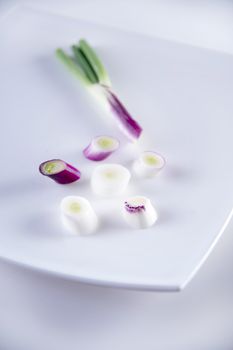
[{"x": 139, "y": 213}]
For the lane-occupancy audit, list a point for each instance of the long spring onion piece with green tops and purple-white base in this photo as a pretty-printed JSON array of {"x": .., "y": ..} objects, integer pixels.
[{"x": 88, "y": 68}]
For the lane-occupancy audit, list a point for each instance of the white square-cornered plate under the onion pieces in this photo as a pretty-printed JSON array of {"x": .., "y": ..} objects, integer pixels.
[{"x": 183, "y": 98}]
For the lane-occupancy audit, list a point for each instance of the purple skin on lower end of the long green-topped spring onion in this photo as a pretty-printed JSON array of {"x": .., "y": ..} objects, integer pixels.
[{"x": 130, "y": 125}]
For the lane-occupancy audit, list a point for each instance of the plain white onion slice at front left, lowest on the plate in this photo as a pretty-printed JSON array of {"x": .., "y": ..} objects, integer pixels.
[{"x": 78, "y": 215}]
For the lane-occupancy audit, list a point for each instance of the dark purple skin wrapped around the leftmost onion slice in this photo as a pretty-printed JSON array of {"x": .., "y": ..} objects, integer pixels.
[{"x": 68, "y": 175}]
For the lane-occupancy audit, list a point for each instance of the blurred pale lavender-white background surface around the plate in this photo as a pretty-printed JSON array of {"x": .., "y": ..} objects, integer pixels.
[{"x": 43, "y": 312}]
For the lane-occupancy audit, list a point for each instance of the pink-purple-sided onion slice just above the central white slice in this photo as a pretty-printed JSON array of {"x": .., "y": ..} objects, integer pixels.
[{"x": 101, "y": 147}]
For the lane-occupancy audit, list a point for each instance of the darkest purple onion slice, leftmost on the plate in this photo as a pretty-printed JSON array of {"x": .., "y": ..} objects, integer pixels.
[{"x": 59, "y": 171}]
